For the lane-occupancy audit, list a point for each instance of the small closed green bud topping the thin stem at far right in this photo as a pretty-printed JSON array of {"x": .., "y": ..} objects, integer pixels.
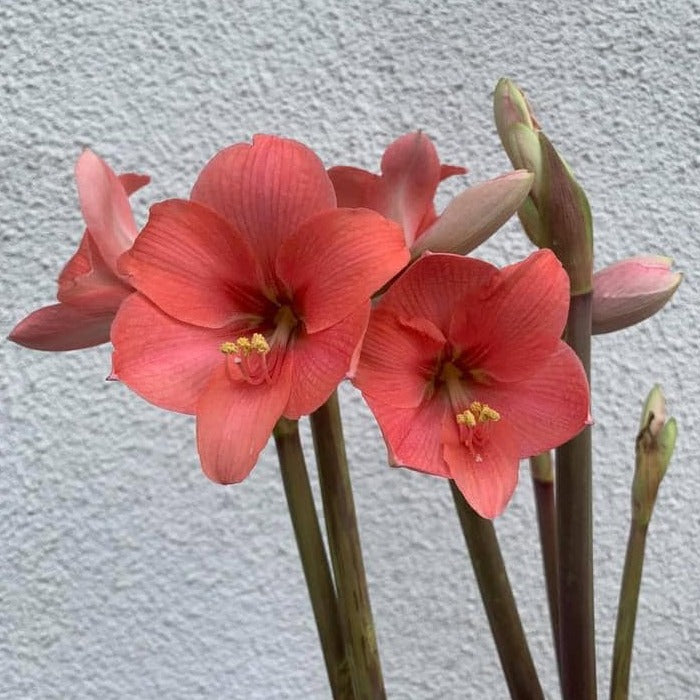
[{"x": 655, "y": 443}]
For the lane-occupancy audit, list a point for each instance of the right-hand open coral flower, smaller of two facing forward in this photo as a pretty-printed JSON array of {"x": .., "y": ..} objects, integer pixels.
[{"x": 464, "y": 370}]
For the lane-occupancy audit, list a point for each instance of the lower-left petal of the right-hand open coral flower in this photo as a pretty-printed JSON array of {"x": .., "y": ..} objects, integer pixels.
[{"x": 413, "y": 435}]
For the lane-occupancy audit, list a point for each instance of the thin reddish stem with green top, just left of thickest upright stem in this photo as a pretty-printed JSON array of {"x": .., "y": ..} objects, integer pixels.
[{"x": 542, "y": 472}]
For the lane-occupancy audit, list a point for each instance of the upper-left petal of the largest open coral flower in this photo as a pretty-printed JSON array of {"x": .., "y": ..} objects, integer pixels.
[{"x": 195, "y": 267}]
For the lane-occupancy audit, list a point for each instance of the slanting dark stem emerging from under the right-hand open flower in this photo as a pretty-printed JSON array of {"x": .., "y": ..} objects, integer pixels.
[{"x": 499, "y": 602}]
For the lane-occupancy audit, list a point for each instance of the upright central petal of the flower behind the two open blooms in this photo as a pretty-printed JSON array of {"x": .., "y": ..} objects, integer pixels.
[{"x": 411, "y": 170}]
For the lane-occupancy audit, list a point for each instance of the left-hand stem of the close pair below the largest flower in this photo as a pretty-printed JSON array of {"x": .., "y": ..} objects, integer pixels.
[{"x": 313, "y": 556}]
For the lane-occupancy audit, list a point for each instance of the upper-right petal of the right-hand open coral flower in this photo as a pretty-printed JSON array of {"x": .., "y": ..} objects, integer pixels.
[{"x": 510, "y": 330}]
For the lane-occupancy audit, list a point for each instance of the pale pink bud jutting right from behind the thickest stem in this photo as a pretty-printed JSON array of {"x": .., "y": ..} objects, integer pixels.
[{"x": 632, "y": 290}]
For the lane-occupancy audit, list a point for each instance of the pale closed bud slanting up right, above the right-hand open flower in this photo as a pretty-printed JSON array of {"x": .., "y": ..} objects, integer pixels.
[{"x": 475, "y": 214}]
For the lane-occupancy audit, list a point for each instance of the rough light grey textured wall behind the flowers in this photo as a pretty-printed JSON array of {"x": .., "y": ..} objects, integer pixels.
[{"x": 123, "y": 571}]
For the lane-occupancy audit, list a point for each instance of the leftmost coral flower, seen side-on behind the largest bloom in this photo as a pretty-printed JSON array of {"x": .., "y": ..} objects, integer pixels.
[{"x": 90, "y": 288}]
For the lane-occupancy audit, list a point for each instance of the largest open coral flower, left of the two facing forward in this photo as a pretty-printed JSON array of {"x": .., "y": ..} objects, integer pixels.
[{"x": 252, "y": 298}]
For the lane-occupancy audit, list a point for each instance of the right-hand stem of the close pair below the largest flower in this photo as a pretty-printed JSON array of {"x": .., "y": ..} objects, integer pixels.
[{"x": 346, "y": 553}]
